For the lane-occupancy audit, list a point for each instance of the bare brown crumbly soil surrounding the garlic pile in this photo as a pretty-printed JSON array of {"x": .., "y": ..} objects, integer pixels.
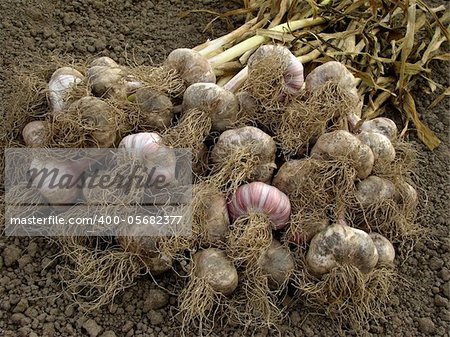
[{"x": 31, "y": 303}]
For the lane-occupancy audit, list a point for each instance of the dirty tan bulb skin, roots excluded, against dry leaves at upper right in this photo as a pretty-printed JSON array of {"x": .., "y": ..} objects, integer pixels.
[{"x": 336, "y": 73}]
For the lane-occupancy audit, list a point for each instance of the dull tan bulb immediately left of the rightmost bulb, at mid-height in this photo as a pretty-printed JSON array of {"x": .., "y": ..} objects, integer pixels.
[{"x": 373, "y": 190}]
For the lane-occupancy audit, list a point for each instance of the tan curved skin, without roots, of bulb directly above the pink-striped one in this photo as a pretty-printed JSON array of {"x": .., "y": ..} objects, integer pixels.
[{"x": 248, "y": 139}]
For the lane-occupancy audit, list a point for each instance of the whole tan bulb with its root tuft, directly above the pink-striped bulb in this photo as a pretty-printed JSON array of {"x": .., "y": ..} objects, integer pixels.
[{"x": 242, "y": 155}]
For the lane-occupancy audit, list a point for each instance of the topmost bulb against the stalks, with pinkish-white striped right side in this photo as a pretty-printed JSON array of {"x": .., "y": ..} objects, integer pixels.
[{"x": 283, "y": 61}]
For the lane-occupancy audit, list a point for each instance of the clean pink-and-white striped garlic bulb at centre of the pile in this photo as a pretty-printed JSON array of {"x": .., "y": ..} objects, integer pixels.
[{"x": 258, "y": 197}]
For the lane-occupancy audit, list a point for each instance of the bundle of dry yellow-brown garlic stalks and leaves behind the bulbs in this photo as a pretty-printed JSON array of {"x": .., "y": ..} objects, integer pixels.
[{"x": 387, "y": 45}]
